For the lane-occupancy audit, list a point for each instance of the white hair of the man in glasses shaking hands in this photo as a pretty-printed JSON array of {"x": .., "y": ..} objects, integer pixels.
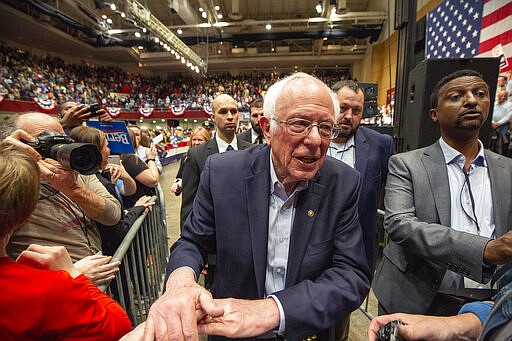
[{"x": 274, "y": 92}]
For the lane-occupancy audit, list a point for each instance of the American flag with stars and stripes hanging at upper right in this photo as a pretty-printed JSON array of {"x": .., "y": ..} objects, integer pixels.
[{"x": 468, "y": 28}]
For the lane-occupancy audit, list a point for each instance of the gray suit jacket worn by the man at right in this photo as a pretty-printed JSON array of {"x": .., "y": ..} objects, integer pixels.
[{"x": 422, "y": 245}]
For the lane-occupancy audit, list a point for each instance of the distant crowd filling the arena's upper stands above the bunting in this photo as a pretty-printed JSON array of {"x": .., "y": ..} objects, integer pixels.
[{"x": 24, "y": 76}]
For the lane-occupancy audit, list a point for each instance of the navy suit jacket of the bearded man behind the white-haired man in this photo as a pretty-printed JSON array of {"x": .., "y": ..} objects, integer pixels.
[{"x": 373, "y": 150}]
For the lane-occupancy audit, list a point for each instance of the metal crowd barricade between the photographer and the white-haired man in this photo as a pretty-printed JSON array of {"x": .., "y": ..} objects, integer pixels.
[{"x": 143, "y": 255}]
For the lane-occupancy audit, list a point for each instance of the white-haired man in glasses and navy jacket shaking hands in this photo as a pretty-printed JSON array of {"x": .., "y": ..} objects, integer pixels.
[{"x": 282, "y": 220}]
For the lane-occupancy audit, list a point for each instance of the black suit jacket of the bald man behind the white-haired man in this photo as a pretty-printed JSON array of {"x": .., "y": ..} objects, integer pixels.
[{"x": 195, "y": 160}]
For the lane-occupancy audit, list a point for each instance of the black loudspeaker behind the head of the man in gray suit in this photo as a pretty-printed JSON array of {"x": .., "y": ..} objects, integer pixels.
[{"x": 416, "y": 127}]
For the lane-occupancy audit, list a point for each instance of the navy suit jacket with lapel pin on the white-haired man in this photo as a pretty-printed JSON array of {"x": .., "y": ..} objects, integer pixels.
[{"x": 327, "y": 276}]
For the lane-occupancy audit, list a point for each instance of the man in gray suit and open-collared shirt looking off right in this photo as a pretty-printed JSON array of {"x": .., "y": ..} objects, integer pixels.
[{"x": 447, "y": 209}]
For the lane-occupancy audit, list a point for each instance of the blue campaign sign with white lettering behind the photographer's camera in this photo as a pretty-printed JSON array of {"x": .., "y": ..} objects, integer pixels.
[{"x": 117, "y": 136}]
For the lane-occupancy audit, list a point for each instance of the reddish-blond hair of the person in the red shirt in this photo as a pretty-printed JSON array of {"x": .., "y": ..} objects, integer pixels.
[{"x": 19, "y": 187}]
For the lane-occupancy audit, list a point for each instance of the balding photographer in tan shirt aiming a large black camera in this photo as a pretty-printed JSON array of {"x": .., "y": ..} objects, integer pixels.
[{"x": 68, "y": 207}]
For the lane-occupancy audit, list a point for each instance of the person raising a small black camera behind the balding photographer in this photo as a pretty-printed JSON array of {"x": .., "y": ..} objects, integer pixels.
[{"x": 72, "y": 114}]
